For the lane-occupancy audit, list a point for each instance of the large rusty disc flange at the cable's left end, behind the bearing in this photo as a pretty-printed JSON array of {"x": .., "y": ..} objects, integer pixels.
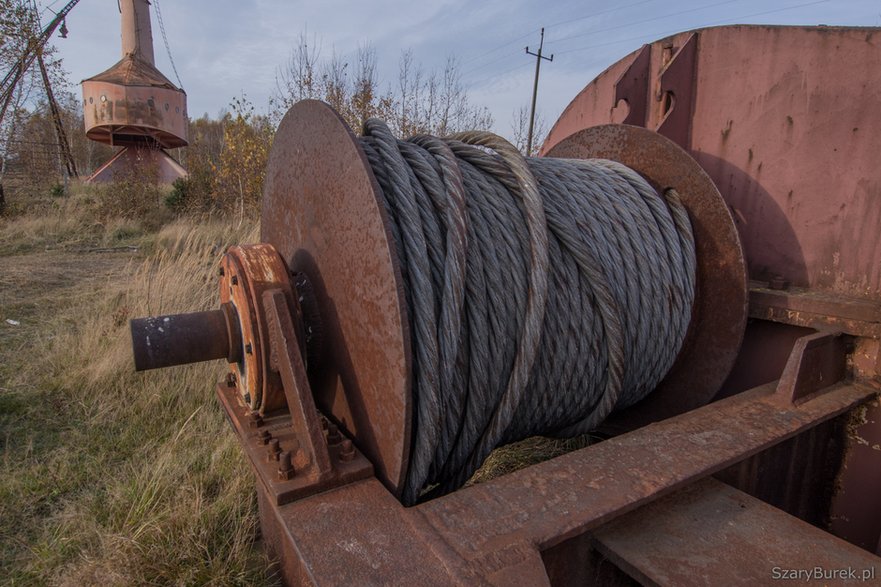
[{"x": 322, "y": 212}]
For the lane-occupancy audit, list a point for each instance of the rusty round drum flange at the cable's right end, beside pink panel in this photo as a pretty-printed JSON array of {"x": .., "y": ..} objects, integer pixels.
[{"x": 720, "y": 311}]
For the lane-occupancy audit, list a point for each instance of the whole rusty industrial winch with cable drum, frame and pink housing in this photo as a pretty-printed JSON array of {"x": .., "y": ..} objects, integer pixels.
[{"x": 414, "y": 304}]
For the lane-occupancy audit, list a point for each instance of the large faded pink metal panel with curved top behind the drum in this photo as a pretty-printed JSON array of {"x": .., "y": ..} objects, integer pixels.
[{"x": 785, "y": 120}]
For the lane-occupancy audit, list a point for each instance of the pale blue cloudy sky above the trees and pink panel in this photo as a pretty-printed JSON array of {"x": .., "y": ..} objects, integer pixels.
[{"x": 223, "y": 48}]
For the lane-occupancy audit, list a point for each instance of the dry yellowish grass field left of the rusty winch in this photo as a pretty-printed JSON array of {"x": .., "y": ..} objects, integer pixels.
[{"x": 108, "y": 476}]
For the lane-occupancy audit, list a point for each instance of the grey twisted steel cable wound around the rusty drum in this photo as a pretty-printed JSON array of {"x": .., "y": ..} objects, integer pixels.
[{"x": 542, "y": 293}]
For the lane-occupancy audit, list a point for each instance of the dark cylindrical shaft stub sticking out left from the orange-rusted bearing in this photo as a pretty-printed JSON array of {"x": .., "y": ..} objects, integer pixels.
[{"x": 178, "y": 339}]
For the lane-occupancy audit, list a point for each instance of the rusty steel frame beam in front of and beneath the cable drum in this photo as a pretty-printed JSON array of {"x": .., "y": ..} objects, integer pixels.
[{"x": 495, "y": 532}]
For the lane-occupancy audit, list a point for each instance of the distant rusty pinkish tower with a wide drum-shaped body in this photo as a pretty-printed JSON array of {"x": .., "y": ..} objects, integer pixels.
[{"x": 134, "y": 106}]
